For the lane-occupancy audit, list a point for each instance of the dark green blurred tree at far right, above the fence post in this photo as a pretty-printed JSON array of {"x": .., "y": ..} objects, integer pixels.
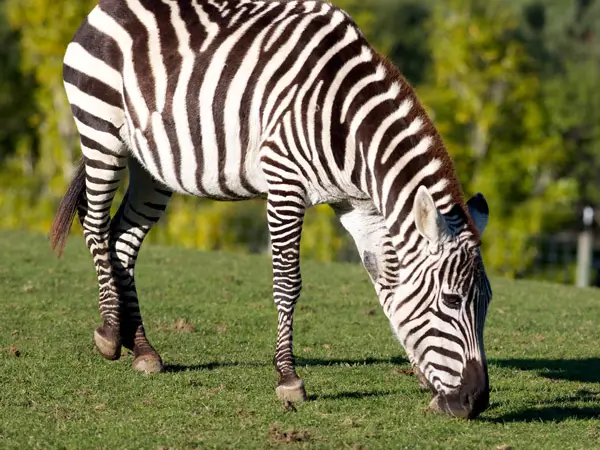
[{"x": 566, "y": 35}]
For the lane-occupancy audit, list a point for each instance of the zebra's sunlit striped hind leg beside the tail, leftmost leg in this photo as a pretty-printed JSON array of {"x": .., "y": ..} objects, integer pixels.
[{"x": 102, "y": 178}]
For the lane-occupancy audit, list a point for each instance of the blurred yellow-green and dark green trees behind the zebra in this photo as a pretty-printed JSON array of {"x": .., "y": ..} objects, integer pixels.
[{"x": 512, "y": 86}]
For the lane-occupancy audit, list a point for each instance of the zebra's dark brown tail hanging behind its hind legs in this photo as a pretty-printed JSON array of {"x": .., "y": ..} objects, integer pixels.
[{"x": 67, "y": 209}]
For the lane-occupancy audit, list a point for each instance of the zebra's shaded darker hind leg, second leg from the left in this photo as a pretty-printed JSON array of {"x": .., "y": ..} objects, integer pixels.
[{"x": 144, "y": 204}]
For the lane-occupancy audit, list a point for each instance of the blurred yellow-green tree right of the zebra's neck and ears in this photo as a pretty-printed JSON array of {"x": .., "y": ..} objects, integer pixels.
[{"x": 487, "y": 101}]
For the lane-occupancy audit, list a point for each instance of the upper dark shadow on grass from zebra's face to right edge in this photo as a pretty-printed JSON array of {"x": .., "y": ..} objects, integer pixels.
[{"x": 585, "y": 370}]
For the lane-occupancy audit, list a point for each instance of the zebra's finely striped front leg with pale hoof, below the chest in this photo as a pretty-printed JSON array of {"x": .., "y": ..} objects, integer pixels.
[{"x": 285, "y": 217}]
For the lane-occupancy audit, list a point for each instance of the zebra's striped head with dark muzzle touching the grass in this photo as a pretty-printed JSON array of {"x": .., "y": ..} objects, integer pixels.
[{"x": 442, "y": 303}]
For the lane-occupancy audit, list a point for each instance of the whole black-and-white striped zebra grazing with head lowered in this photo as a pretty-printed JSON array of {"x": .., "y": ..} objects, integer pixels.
[{"x": 286, "y": 101}]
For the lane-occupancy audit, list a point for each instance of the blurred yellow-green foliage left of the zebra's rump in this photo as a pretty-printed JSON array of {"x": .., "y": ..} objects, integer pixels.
[{"x": 37, "y": 173}]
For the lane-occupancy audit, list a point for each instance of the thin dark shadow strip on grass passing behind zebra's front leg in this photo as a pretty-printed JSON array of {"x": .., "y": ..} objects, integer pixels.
[{"x": 299, "y": 363}]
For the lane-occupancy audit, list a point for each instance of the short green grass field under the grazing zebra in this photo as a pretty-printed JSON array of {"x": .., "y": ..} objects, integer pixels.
[{"x": 211, "y": 317}]
